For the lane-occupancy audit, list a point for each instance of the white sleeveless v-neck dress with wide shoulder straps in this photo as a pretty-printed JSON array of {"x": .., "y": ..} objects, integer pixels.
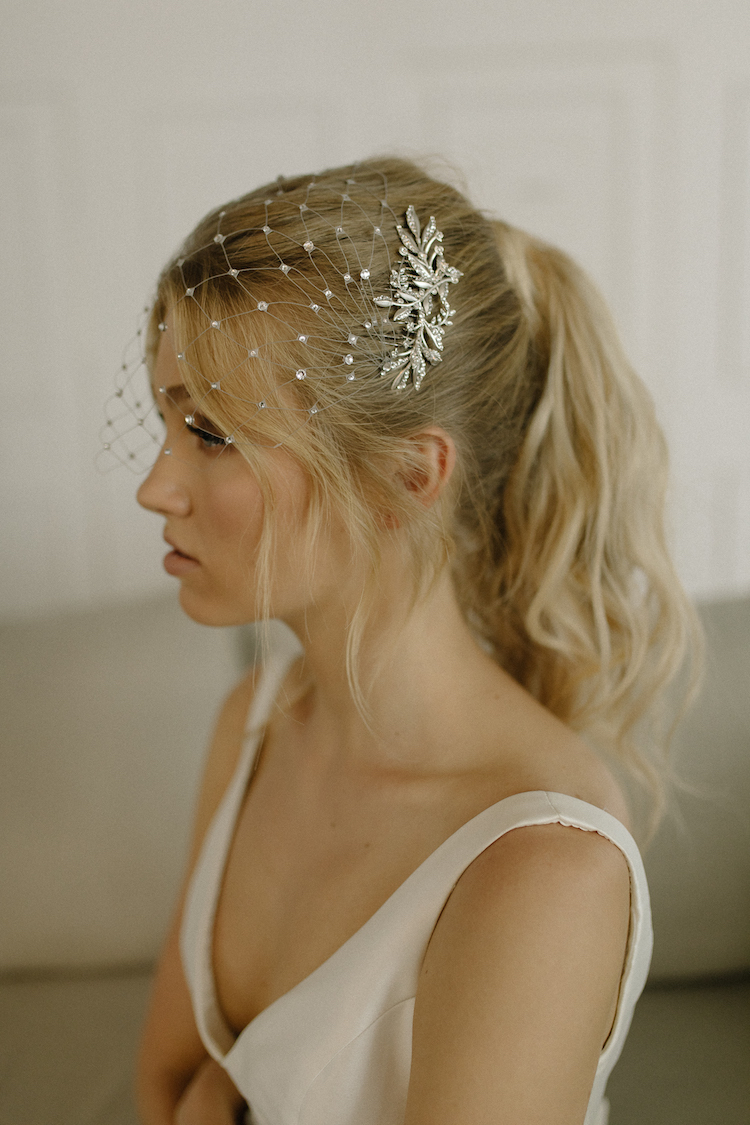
[{"x": 337, "y": 1049}]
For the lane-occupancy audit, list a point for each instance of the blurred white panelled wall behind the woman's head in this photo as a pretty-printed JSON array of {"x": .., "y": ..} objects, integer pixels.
[{"x": 620, "y": 129}]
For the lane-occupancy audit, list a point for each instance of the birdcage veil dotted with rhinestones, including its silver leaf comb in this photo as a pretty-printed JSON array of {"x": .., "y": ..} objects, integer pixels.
[{"x": 397, "y": 344}]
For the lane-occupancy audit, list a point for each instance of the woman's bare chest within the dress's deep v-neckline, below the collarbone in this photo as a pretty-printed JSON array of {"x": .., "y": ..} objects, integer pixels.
[{"x": 309, "y": 865}]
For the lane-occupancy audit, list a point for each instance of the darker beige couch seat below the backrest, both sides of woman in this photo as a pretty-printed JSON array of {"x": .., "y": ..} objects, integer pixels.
[{"x": 67, "y": 1050}]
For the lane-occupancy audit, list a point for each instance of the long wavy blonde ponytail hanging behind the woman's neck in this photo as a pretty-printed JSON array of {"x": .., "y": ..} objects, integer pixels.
[{"x": 582, "y": 602}]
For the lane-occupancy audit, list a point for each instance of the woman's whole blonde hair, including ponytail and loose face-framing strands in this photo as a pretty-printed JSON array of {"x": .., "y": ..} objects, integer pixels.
[{"x": 554, "y": 526}]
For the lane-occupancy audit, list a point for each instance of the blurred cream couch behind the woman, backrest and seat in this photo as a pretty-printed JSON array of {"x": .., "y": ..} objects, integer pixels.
[{"x": 105, "y": 721}]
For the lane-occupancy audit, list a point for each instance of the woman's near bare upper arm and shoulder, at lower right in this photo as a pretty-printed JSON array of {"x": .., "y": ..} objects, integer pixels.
[{"x": 520, "y": 984}]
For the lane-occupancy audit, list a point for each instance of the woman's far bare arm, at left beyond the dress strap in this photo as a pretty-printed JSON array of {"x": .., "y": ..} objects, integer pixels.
[{"x": 171, "y": 1050}]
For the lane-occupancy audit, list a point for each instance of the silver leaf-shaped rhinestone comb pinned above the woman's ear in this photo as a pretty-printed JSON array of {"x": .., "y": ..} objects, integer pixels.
[{"x": 419, "y": 285}]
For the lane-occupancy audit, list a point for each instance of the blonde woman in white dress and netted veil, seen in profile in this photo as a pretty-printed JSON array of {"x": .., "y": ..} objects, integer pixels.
[{"x": 410, "y": 435}]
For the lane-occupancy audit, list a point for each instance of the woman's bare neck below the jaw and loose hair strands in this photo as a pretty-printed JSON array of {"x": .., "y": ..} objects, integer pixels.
[{"x": 419, "y": 668}]
